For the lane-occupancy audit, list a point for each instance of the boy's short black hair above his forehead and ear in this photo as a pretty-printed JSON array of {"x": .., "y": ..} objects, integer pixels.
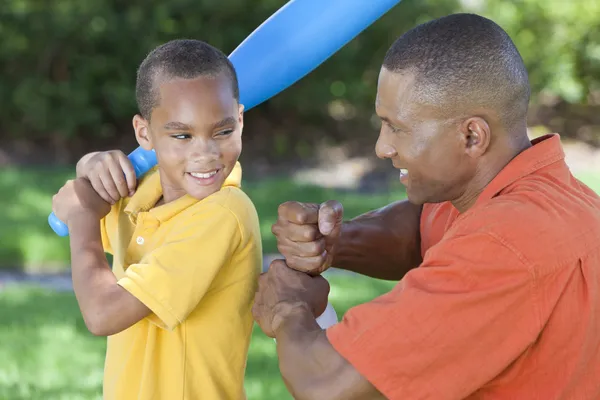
[{"x": 182, "y": 58}]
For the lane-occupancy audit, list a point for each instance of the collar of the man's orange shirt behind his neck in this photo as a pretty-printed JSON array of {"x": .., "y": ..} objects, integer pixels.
[{"x": 544, "y": 151}]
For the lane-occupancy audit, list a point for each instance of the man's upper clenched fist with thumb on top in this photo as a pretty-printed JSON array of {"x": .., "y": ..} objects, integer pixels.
[{"x": 307, "y": 234}]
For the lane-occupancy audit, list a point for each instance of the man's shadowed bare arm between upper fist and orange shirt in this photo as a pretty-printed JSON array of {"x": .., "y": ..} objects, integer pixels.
[{"x": 383, "y": 243}]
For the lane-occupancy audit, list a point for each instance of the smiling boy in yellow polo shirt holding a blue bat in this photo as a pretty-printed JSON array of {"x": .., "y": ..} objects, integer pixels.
[{"x": 186, "y": 242}]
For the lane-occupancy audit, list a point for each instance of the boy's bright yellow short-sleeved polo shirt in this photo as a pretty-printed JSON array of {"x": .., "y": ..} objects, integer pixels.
[{"x": 195, "y": 264}]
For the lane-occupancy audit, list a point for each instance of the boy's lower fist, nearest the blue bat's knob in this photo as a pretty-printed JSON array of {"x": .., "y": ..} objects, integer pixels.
[{"x": 77, "y": 197}]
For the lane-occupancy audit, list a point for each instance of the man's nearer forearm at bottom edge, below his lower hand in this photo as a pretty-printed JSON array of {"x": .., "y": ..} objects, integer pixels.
[{"x": 310, "y": 366}]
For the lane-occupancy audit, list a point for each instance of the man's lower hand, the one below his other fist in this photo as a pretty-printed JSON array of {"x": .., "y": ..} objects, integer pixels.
[{"x": 281, "y": 290}]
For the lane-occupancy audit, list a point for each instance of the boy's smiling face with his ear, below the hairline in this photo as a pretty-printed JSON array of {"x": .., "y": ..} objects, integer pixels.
[{"x": 196, "y": 131}]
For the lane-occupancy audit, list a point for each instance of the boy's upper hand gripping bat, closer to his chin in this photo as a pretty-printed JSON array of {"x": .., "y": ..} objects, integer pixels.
[{"x": 110, "y": 173}]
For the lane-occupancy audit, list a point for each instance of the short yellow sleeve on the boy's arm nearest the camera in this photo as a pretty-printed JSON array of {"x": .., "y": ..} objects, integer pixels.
[{"x": 172, "y": 279}]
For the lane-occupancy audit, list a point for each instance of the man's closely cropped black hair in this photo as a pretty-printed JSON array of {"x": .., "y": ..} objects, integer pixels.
[{"x": 464, "y": 60}]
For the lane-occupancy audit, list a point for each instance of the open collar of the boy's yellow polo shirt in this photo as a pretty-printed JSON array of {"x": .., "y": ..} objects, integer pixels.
[{"x": 150, "y": 191}]
